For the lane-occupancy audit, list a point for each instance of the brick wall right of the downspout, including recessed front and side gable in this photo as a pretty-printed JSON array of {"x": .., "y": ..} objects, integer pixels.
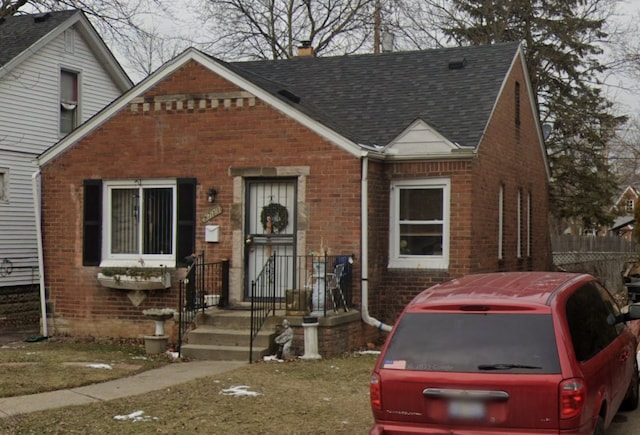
[{"x": 507, "y": 155}]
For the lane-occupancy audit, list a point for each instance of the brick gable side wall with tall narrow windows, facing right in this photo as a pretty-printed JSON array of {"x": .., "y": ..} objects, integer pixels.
[{"x": 511, "y": 157}]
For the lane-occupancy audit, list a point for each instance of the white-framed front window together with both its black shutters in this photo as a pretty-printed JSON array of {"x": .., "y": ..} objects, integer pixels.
[{"x": 146, "y": 222}]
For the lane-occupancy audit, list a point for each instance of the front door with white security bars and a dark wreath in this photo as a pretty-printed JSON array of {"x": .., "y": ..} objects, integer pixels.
[{"x": 270, "y": 229}]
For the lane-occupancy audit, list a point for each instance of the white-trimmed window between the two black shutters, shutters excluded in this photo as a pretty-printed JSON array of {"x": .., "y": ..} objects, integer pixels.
[{"x": 139, "y": 218}]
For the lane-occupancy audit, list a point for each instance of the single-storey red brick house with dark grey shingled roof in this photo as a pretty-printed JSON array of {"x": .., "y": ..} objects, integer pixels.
[{"x": 424, "y": 165}]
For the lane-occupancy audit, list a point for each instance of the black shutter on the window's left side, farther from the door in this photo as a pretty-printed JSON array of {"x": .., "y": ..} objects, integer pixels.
[{"x": 92, "y": 230}]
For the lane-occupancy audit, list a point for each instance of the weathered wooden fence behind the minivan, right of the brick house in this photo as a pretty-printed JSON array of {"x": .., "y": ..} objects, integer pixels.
[{"x": 603, "y": 257}]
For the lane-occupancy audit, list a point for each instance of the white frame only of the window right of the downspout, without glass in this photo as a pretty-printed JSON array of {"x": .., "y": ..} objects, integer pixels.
[{"x": 396, "y": 259}]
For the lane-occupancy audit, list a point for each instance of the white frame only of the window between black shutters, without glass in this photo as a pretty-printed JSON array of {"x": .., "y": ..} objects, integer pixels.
[{"x": 138, "y": 259}]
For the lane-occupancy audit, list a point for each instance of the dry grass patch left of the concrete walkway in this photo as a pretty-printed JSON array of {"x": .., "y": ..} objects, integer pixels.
[{"x": 27, "y": 368}]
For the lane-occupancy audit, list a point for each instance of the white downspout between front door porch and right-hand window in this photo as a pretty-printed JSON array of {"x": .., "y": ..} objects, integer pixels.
[{"x": 364, "y": 218}]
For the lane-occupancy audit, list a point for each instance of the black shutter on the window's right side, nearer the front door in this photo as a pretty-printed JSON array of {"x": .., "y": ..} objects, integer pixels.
[{"x": 186, "y": 219}]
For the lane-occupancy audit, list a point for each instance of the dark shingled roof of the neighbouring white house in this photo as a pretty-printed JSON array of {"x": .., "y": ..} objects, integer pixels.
[{"x": 19, "y": 32}]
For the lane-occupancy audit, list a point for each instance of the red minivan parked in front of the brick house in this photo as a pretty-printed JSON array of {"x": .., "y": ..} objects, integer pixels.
[{"x": 507, "y": 353}]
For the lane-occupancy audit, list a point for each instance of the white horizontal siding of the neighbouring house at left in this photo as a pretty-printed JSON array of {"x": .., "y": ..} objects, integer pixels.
[{"x": 29, "y": 124}]
